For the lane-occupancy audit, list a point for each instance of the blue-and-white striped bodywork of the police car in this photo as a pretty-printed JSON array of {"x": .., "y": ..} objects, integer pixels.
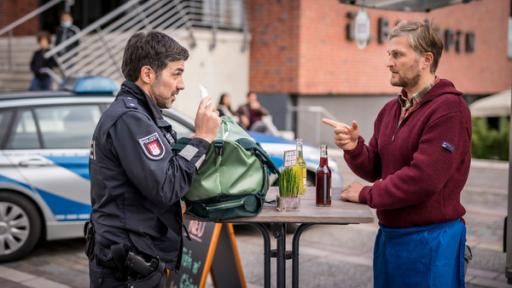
[{"x": 62, "y": 182}]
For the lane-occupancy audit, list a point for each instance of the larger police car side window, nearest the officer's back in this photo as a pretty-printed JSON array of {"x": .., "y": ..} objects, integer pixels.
[{"x": 67, "y": 126}]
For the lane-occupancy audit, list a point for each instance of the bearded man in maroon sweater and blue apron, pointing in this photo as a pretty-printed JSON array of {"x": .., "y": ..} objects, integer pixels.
[{"x": 418, "y": 160}]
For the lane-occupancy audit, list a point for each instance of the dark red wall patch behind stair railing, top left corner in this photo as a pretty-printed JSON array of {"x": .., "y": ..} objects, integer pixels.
[{"x": 11, "y": 10}]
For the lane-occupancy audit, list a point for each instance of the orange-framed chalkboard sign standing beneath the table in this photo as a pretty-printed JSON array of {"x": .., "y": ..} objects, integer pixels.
[{"x": 209, "y": 241}]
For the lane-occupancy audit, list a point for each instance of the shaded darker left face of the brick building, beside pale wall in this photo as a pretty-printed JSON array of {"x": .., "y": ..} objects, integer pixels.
[{"x": 274, "y": 27}]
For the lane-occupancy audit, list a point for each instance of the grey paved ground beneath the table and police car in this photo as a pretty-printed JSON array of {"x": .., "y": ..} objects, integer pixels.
[{"x": 331, "y": 256}]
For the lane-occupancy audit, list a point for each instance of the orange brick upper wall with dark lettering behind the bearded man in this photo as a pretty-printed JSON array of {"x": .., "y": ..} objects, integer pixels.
[{"x": 318, "y": 60}]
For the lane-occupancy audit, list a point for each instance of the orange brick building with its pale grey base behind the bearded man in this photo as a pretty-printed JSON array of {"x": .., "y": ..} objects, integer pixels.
[{"x": 302, "y": 55}]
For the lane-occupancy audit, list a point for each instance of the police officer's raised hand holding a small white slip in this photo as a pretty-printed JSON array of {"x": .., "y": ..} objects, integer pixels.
[{"x": 207, "y": 120}]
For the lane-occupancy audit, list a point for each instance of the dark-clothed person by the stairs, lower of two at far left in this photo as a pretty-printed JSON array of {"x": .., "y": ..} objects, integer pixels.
[{"x": 40, "y": 66}]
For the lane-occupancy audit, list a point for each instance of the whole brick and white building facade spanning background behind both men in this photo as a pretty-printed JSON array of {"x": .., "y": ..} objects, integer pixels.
[{"x": 303, "y": 61}]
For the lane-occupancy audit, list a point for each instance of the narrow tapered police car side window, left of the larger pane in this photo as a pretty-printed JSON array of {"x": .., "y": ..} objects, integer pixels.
[{"x": 24, "y": 134}]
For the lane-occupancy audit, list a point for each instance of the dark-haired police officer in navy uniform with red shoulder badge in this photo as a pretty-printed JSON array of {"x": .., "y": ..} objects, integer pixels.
[{"x": 136, "y": 178}]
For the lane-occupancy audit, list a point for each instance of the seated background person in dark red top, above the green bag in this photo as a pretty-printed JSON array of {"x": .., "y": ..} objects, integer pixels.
[{"x": 252, "y": 113}]
